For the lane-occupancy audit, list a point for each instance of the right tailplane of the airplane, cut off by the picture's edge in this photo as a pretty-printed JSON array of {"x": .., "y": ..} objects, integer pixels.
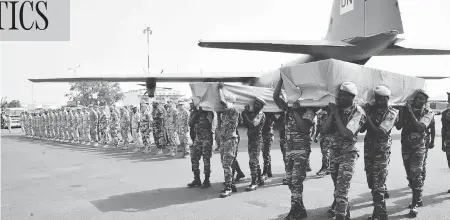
[{"x": 403, "y": 48}]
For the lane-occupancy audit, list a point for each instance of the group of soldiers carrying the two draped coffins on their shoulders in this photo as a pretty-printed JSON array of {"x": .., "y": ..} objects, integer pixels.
[{"x": 338, "y": 125}]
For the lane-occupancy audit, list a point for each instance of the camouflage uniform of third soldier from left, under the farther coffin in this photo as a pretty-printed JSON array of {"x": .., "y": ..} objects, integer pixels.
[{"x": 254, "y": 133}]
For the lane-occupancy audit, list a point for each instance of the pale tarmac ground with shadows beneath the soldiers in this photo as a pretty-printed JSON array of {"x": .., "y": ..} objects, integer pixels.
[{"x": 47, "y": 180}]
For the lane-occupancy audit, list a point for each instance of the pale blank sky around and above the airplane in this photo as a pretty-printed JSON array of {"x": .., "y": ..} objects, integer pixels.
[{"x": 107, "y": 39}]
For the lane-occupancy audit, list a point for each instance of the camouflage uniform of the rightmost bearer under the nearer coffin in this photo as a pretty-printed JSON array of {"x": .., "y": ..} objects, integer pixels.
[{"x": 413, "y": 149}]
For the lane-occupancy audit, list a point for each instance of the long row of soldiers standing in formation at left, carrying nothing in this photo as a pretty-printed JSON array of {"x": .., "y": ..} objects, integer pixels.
[{"x": 94, "y": 126}]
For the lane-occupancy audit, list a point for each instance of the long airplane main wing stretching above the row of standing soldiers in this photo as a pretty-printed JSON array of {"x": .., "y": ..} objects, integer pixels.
[{"x": 206, "y": 77}]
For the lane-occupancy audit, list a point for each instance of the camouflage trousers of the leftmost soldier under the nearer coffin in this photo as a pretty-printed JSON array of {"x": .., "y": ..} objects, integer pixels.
[{"x": 296, "y": 173}]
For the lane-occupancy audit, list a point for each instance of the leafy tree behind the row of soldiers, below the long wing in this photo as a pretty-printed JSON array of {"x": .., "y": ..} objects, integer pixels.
[{"x": 93, "y": 92}]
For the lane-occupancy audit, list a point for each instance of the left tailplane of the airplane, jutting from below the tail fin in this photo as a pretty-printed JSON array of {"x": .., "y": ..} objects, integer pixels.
[{"x": 304, "y": 47}]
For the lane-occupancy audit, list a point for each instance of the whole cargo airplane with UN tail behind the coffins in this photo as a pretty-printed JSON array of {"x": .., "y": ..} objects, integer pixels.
[{"x": 357, "y": 31}]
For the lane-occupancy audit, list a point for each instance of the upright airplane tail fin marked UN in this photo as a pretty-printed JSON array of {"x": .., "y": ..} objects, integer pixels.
[{"x": 361, "y": 18}]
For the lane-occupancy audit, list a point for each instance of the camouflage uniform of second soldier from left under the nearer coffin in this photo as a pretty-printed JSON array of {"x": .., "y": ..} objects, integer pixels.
[{"x": 343, "y": 157}]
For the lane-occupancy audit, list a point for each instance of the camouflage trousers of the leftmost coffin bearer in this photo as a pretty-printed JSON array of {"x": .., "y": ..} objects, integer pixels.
[{"x": 202, "y": 147}]
